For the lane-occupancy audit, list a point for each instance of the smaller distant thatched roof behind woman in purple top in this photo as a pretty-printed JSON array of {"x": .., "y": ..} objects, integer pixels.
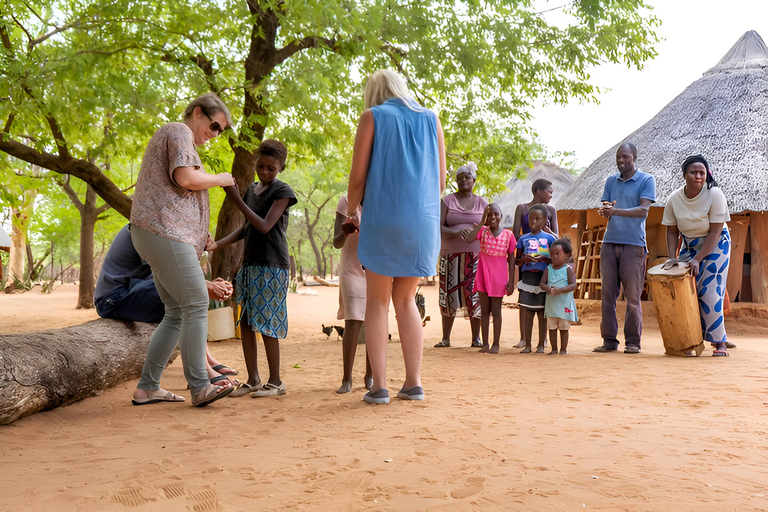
[{"x": 520, "y": 190}]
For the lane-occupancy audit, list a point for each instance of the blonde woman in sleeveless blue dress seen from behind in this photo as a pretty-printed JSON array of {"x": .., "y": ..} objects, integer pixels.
[{"x": 398, "y": 164}]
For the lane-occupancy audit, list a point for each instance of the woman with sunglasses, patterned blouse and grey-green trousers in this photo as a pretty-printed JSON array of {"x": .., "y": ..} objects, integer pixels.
[{"x": 169, "y": 229}]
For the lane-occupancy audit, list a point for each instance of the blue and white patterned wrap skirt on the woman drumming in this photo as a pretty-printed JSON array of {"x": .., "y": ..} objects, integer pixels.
[{"x": 710, "y": 283}]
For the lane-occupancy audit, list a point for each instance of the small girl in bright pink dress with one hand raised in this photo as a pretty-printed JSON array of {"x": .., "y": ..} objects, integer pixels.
[{"x": 495, "y": 271}]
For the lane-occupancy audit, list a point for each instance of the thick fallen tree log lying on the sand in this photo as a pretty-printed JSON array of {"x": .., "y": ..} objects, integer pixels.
[{"x": 46, "y": 369}]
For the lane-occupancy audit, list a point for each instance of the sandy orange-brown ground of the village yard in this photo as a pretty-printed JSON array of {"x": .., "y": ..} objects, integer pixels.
[{"x": 509, "y": 432}]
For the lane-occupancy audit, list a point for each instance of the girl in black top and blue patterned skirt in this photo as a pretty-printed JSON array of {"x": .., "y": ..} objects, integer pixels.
[{"x": 262, "y": 282}]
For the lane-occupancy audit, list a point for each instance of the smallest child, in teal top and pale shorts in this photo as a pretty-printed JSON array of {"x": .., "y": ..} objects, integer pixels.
[{"x": 559, "y": 282}]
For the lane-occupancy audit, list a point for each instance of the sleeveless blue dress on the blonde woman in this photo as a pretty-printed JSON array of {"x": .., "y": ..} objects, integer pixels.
[{"x": 400, "y": 226}]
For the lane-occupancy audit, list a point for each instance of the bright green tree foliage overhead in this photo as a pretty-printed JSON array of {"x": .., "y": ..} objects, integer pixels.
[{"x": 94, "y": 80}]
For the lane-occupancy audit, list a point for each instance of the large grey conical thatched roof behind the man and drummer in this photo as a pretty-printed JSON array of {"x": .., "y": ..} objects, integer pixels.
[{"x": 723, "y": 116}]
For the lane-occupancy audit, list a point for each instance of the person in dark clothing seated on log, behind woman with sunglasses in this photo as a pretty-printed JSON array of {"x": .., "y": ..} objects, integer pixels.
[{"x": 126, "y": 291}]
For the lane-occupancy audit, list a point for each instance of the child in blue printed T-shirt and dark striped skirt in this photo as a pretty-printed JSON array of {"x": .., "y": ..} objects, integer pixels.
[{"x": 533, "y": 255}]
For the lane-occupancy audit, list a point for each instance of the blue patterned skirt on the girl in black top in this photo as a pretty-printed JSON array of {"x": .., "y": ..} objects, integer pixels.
[{"x": 261, "y": 292}]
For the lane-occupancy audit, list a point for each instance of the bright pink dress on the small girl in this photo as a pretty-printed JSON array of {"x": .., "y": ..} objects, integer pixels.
[{"x": 493, "y": 268}]
